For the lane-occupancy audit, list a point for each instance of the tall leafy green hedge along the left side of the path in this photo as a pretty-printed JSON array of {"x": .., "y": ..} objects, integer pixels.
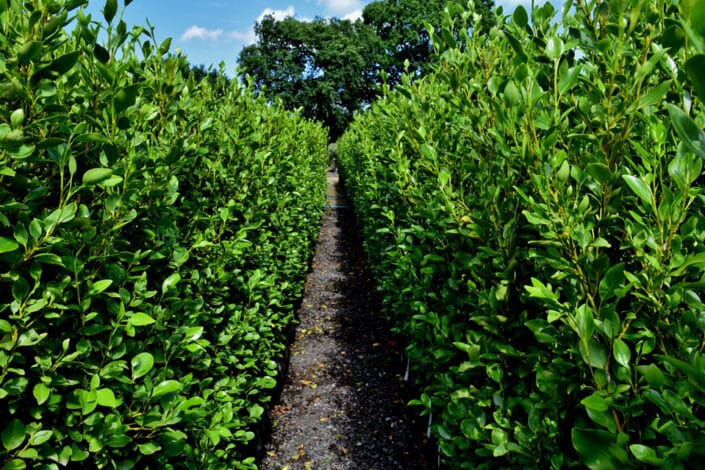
[{"x": 154, "y": 234}]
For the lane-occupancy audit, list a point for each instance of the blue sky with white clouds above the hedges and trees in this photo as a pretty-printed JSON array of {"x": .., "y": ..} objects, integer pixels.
[{"x": 211, "y": 31}]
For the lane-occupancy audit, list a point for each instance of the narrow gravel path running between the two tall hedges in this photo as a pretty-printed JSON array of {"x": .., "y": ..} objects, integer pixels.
[{"x": 343, "y": 402}]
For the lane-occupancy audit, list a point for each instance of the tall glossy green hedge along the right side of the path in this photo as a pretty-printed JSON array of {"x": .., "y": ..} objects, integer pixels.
[{"x": 533, "y": 211}]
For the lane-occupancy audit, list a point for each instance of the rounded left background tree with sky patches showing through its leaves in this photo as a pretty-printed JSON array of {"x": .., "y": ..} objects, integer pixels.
[{"x": 321, "y": 66}]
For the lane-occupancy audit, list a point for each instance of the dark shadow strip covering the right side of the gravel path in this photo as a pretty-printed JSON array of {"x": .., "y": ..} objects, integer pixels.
[{"x": 383, "y": 425}]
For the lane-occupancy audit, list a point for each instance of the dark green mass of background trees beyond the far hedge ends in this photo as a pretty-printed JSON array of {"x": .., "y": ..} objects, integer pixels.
[{"x": 330, "y": 68}]
